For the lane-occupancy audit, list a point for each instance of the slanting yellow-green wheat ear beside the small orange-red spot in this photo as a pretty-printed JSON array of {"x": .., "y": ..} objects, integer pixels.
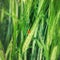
[{"x": 29, "y": 37}]
